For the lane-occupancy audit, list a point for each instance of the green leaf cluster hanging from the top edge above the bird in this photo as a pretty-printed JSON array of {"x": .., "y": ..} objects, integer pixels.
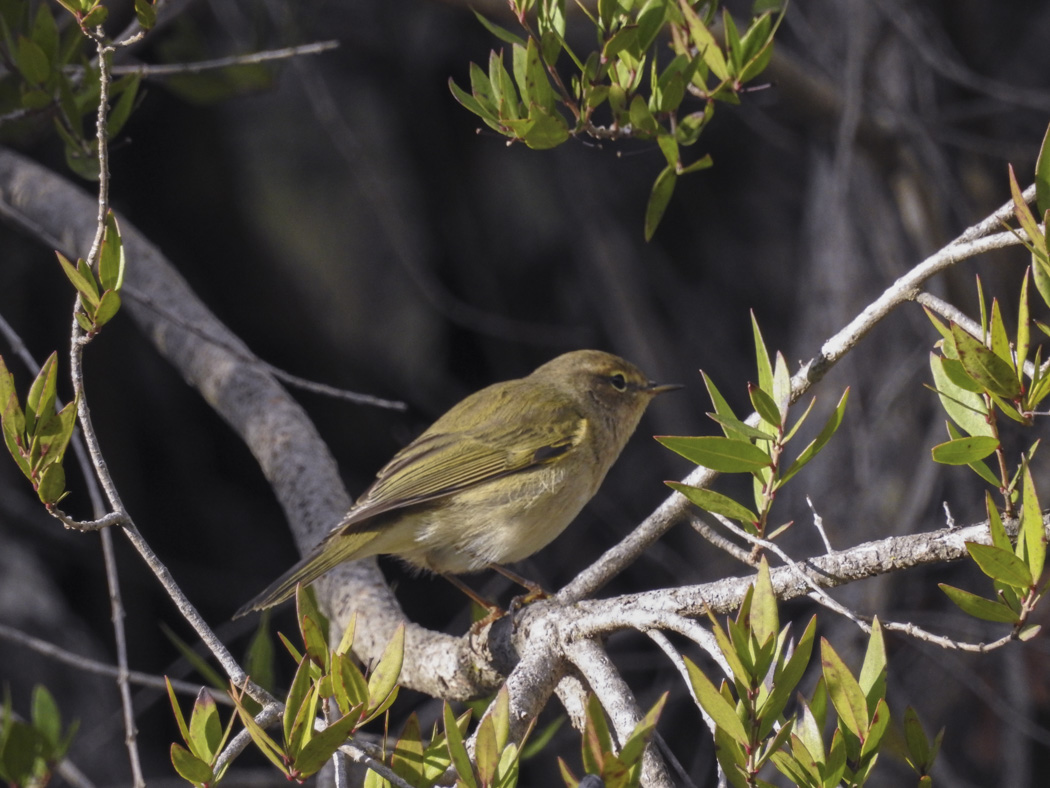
[{"x": 665, "y": 96}]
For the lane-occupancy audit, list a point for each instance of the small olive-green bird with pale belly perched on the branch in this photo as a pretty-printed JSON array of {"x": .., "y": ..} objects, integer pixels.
[{"x": 495, "y": 480}]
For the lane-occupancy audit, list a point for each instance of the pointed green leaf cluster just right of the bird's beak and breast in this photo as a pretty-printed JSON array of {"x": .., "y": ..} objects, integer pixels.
[{"x": 754, "y": 450}]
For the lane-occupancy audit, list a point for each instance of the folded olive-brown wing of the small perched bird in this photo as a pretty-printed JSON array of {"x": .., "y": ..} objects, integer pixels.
[{"x": 518, "y": 437}]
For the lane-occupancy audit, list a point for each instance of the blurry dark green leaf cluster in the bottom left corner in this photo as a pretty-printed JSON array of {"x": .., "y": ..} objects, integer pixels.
[{"x": 30, "y": 751}]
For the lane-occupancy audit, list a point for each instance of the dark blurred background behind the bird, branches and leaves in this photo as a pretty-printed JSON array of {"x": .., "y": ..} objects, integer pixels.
[{"x": 344, "y": 217}]
